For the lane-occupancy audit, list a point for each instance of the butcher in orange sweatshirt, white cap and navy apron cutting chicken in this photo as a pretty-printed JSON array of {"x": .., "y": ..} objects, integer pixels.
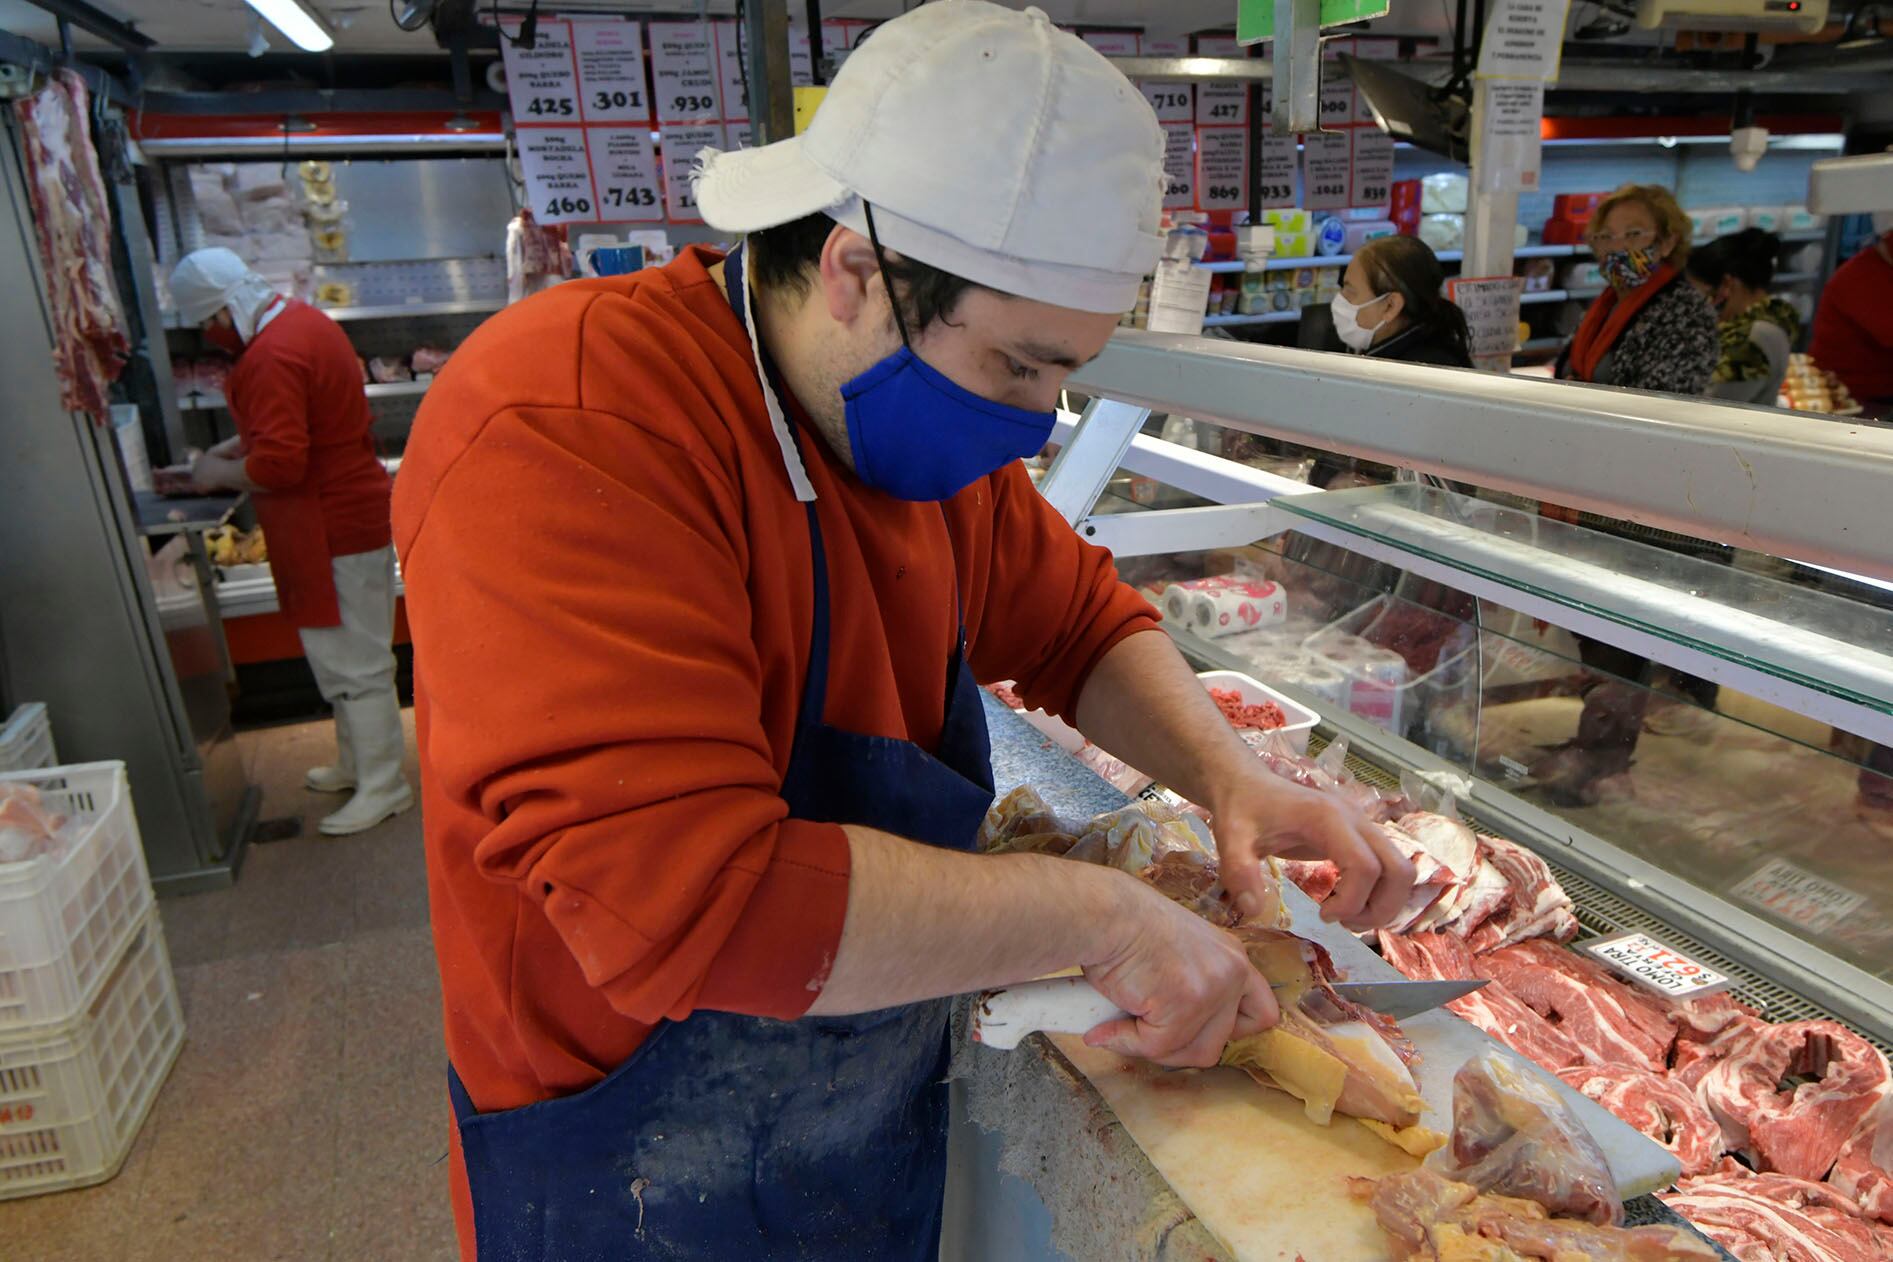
[{"x": 703, "y": 567}]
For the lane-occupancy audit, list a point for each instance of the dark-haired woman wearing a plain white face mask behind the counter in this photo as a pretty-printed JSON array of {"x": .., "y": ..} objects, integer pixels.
[{"x": 1392, "y": 307}]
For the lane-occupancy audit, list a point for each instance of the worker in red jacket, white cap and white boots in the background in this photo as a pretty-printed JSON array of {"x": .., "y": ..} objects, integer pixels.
[{"x": 306, "y": 455}]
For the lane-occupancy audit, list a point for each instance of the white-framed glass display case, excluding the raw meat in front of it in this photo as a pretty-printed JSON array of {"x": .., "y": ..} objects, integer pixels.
[{"x": 1695, "y": 731}]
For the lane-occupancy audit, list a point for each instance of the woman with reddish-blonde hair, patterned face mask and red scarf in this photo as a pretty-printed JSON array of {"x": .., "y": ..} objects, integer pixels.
[{"x": 1650, "y": 330}]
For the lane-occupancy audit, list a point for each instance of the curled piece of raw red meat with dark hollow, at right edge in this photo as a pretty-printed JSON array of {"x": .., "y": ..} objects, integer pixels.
[{"x": 1797, "y": 1132}]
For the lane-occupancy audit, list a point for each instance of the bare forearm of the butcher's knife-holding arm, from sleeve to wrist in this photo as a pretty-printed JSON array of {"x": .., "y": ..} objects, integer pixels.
[{"x": 927, "y": 922}]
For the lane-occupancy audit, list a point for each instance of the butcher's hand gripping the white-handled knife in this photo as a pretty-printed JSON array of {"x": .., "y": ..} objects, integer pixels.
[{"x": 1188, "y": 987}]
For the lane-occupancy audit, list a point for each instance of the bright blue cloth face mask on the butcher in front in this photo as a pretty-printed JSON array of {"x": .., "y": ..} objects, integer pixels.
[{"x": 915, "y": 434}]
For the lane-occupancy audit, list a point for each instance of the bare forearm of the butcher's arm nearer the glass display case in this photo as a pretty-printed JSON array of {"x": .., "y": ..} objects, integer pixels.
[{"x": 1146, "y": 707}]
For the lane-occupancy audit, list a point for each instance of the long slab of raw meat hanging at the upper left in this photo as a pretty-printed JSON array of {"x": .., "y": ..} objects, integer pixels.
[{"x": 73, "y": 224}]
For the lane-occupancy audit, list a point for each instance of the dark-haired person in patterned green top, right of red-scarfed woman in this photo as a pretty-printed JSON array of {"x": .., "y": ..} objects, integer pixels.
[{"x": 1758, "y": 330}]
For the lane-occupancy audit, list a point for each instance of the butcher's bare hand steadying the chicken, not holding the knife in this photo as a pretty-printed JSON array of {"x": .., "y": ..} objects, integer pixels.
[{"x": 1258, "y": 815}]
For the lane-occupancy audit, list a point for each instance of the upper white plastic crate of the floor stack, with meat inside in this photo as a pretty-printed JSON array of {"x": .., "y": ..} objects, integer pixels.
[{"x": 65, "y": 919}]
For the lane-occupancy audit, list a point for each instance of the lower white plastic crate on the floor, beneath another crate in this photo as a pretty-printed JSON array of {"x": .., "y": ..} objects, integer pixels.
[{"x": 73, "y": 1098}]
